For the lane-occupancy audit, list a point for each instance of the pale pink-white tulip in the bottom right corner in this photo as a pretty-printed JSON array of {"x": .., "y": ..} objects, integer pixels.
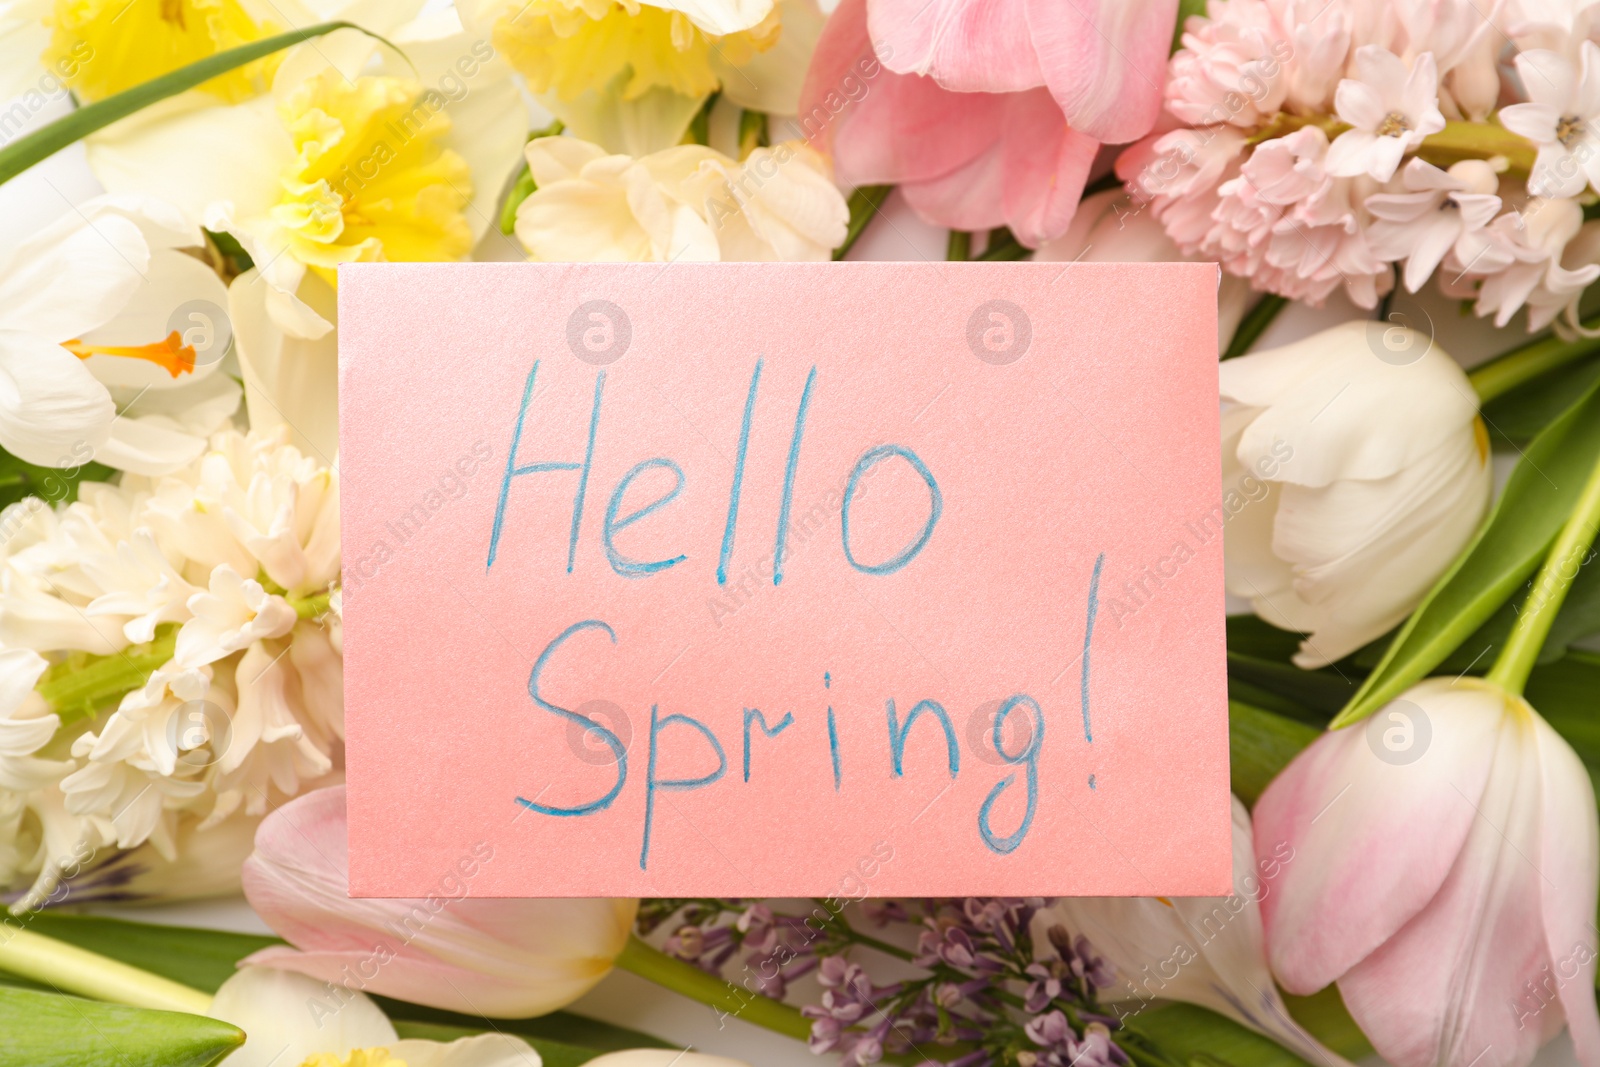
[{"x": 1444, "y": 873}]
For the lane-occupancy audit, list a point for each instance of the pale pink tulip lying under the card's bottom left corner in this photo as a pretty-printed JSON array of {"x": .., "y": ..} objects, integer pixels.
[{"x": 479, "y": 956}]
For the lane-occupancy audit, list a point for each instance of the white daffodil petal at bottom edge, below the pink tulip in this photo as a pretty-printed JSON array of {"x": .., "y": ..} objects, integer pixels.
[{"x": 290, "y": 1018}]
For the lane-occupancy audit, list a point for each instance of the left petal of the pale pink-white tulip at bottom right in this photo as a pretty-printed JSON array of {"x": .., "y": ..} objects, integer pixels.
[{"x": 1338, "y": 807}]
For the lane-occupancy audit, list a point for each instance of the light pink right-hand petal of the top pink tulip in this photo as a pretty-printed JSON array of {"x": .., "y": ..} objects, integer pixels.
[{"x": 1105, "y": 62}]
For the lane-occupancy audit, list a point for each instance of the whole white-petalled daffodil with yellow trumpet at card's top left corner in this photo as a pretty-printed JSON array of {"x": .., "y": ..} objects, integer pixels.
[{"x": 359, "y": 154}]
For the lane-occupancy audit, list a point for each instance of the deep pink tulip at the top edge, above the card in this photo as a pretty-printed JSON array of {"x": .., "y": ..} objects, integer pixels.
[{"x": 985, "y": 113}]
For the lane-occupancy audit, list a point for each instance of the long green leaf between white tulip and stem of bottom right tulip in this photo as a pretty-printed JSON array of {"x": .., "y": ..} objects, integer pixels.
[{"x": 1511, "y": 545}]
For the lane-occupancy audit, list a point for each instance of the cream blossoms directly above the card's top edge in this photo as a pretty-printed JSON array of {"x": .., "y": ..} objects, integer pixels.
[{"x": 684, "y": 204}]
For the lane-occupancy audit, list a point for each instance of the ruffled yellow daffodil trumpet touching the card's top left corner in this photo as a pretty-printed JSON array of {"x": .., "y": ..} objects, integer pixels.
[{"x": 370, "y": 180}]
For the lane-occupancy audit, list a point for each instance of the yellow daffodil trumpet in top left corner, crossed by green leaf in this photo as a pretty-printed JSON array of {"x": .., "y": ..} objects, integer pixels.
[{"x": 105, "y": 47}]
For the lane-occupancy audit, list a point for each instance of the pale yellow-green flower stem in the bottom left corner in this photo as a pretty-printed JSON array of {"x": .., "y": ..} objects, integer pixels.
[{"x": 73, "y": 970}]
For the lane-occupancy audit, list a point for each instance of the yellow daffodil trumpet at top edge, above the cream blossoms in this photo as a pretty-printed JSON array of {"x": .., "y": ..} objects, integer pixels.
[{"x": 575, "y": 46}]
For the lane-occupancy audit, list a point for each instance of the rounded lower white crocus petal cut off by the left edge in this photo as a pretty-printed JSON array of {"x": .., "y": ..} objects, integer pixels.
[{"x": 52, "y": 410}]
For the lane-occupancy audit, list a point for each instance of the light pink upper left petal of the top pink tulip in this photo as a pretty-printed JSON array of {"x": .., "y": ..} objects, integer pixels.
[{"x": 966, "y": 46}]
